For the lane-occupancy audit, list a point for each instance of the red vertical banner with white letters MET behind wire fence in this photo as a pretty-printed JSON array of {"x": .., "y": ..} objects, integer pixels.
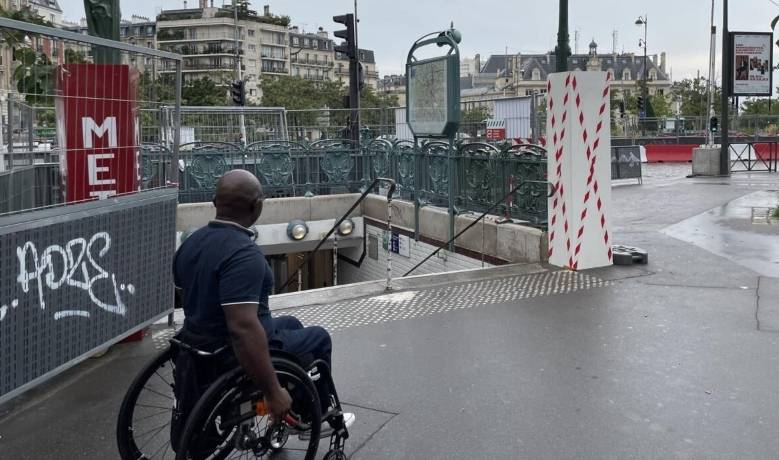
[{"x": 96, "y": 117}]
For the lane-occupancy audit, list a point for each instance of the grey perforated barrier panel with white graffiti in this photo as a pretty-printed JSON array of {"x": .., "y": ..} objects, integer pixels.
[{"x": 78, "y": 278}]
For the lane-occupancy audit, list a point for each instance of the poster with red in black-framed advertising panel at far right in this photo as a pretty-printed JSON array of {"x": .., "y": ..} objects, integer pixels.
[{"x": 752, "y": 58}]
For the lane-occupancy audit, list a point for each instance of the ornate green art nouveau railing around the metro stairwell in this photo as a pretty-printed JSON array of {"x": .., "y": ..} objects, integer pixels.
[{"x": 482, "y": 172}]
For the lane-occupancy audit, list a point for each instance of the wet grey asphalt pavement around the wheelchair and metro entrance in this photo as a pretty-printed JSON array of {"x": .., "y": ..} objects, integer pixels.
[{"x": 677, "y": 359}]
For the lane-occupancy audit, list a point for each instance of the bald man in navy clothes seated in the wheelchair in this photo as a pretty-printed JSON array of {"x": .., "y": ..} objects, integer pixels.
[{"x": 224, "y": 282}]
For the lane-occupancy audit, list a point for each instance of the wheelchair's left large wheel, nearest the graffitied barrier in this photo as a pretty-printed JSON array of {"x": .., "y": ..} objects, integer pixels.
[{"x": 143, "y": 426}]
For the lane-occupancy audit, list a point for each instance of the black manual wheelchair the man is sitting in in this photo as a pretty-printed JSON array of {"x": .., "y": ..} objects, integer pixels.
[{"x": 229, "y": 419}]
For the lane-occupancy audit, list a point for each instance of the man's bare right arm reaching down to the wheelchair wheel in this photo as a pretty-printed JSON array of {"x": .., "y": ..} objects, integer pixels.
[{"x": 251, "y": 348}]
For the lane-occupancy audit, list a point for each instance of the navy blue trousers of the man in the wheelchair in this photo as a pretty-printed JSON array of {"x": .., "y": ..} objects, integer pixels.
[{"x": 307, "y": 344}]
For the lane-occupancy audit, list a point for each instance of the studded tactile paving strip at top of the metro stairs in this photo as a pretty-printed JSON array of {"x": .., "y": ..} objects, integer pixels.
[{"x": 414, "y": 304}]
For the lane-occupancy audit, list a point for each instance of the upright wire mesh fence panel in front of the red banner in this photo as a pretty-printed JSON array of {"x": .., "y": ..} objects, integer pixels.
[{"x": 88, "y": 105}]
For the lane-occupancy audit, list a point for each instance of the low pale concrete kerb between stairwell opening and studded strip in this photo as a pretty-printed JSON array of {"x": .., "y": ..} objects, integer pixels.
[{"x": 335, "y": 294}]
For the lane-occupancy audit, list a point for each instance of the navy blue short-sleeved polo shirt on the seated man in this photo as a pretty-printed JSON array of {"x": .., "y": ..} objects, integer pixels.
[{"x": 218, "y": 266}]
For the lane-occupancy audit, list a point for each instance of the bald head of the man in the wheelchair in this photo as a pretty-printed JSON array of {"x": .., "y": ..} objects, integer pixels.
[{"x": 238, "y": 197}]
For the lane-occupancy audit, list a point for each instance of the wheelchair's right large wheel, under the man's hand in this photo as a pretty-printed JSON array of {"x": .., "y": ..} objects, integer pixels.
[{"x": 226, "y": 424}]
